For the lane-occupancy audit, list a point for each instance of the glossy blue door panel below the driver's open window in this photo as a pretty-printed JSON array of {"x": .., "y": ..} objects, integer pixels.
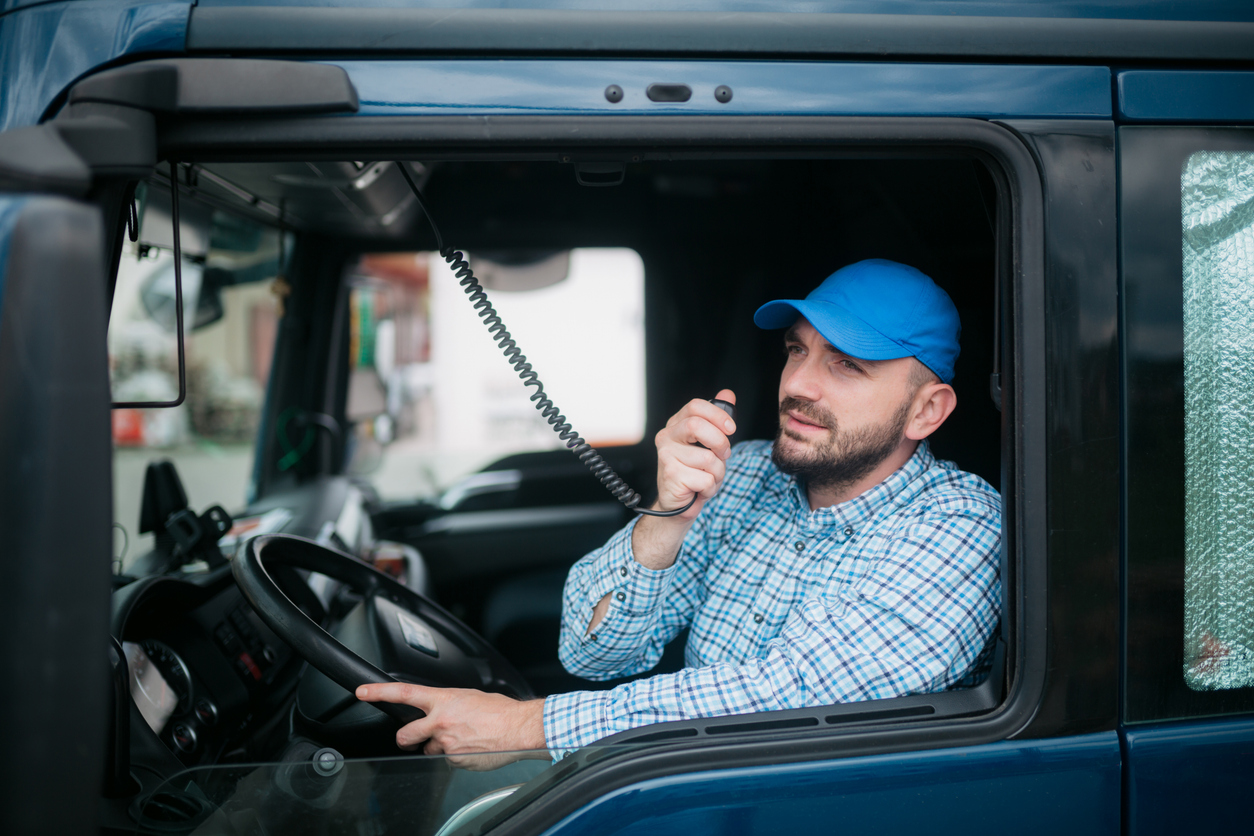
[{"x": 1062, "y": 786}]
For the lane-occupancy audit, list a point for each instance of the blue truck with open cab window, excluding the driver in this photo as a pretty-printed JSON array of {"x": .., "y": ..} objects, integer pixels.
[{"x": 250, "y": 463}]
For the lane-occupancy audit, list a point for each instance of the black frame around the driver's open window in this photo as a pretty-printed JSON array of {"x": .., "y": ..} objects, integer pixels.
[{"x": 1023, "y": 300}]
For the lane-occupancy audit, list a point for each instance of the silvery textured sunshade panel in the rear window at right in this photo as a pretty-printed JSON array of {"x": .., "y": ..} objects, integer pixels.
[{"x": 1218, "y": 265}]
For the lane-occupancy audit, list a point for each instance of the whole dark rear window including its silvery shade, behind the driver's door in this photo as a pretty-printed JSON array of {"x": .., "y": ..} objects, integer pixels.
[{"x": 1189, "y": 316}]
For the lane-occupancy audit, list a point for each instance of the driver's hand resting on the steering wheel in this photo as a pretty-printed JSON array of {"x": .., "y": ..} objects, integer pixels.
[{"x": 462, "y": 721}]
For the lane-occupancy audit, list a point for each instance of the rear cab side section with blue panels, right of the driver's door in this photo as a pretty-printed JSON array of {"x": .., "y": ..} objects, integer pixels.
[{"x": 1188, "y": 279}]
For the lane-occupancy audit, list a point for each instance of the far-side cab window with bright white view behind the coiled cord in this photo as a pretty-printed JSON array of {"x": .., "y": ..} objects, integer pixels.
[{"x": 433, "y": 399}]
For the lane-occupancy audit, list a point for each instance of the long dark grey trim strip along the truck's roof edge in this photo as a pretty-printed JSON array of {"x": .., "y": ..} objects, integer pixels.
[{"x": 530, "y": 32}]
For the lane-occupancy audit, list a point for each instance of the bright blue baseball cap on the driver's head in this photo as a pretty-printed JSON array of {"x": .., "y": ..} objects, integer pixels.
[{"x": 878, "y": 310}]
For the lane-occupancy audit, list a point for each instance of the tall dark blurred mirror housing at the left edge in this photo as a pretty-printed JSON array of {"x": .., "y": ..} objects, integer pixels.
[{"x": 56, "y": 503}]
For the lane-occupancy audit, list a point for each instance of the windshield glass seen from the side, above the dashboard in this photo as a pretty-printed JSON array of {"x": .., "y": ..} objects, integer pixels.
[{"x": 230, "y": 319}]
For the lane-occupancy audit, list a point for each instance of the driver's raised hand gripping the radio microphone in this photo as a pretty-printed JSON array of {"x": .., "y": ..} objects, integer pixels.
[{"x": 693, "y": 451}]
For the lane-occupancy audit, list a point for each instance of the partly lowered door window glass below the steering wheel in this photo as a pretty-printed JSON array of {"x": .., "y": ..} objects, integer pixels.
[{"x": 417, "y": 797}]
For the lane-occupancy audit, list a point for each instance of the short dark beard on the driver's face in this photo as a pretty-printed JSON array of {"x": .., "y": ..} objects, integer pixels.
[{"x": 846, "y": 457}]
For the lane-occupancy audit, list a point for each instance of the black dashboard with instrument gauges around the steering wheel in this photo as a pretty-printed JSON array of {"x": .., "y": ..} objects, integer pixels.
[{"x": 209, "y": 681}]
